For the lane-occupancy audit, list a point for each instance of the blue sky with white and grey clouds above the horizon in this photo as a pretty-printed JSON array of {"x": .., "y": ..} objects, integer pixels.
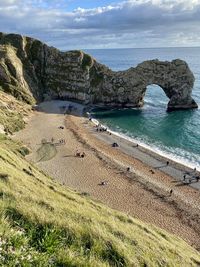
[{"x": 93, "y": 24}]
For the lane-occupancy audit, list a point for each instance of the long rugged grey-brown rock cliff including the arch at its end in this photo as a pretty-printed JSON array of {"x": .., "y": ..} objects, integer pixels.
[{"x": 31, "y": 70}]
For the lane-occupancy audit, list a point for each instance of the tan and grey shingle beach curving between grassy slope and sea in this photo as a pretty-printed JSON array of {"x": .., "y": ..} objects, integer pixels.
[{"x": 143, "y": 191}]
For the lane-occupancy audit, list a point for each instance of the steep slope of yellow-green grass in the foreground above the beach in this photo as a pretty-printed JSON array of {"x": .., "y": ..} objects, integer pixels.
[{"x": 45, "y": 224}]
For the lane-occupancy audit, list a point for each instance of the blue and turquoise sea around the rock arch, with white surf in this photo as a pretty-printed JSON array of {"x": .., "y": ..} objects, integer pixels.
[{"x": 175, "y": 135}]
